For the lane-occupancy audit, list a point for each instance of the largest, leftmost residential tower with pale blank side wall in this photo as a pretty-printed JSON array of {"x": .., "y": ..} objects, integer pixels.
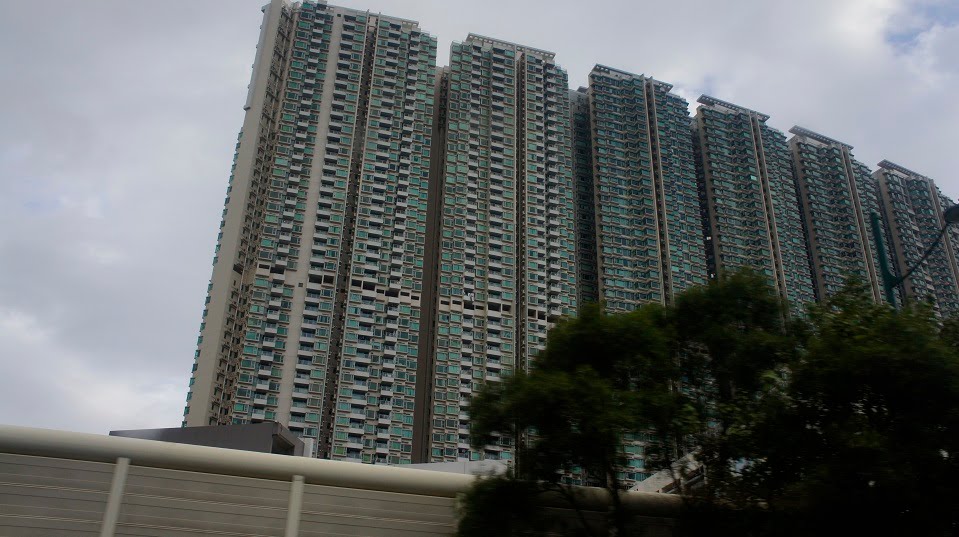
[{"x": 313, "y": 311}]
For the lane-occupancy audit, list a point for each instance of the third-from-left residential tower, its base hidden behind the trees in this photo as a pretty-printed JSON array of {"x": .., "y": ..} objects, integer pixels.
[{"x": 648, "y": 226}]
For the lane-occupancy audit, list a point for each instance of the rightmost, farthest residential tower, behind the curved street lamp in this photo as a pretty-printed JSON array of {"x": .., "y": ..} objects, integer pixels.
[{"x": 913, "y": 208}]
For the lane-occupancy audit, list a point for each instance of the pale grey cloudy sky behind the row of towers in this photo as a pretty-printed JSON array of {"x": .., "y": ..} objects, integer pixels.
[{"x": 118, "y": 121}]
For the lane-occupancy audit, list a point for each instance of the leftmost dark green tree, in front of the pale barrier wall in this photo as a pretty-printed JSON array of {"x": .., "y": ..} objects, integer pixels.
[{"x": 597, "y": 379}]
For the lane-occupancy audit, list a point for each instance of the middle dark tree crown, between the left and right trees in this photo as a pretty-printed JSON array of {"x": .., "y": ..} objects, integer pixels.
[{"x": 737, "y": 343}]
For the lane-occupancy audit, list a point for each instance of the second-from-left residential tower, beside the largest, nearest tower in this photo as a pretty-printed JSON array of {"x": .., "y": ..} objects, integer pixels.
[{"x": 506, "y": 243}]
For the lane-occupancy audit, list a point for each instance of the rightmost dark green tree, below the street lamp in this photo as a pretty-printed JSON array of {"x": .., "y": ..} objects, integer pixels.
[{"x": 857, "y": 438}]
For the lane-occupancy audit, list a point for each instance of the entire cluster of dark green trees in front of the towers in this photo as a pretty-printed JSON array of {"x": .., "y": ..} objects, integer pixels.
[{"x": 845, "y": 422}]
